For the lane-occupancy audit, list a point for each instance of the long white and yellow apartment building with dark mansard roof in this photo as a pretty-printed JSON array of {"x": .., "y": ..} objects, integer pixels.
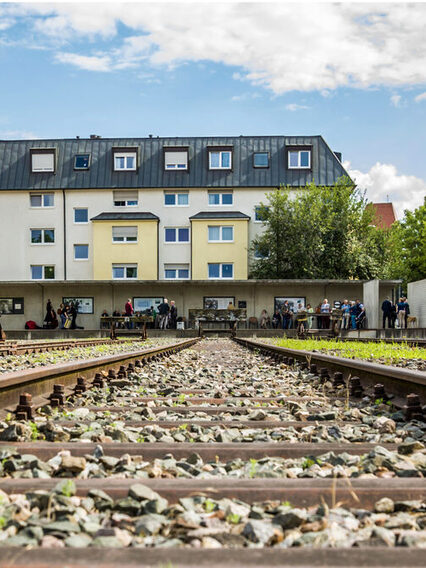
[{"x": 145, "y": 216}]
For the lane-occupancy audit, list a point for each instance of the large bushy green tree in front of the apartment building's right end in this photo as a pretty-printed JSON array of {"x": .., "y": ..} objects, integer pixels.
[{"x": 318, "y": 232}]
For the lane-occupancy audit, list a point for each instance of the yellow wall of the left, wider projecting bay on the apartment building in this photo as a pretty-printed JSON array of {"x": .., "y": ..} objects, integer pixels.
[{"x": 143, "y": 253}]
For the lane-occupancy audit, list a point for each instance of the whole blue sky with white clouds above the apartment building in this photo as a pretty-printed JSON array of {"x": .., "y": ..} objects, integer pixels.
[{"x": 354, "y": 73}]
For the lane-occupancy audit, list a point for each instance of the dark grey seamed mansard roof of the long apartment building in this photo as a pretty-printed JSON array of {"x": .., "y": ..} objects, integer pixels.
[{"x": 15, "y": 163}]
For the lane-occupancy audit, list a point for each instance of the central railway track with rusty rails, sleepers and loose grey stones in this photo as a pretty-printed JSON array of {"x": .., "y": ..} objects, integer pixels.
[{"x": 249, "y": 450}]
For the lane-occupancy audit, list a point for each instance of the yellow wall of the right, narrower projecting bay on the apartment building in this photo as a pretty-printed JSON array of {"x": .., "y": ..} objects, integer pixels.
[{"x": 235, "y": 252}]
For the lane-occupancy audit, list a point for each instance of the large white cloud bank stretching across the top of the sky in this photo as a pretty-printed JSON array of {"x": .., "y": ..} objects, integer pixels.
[{"x": 327, "y": 45}]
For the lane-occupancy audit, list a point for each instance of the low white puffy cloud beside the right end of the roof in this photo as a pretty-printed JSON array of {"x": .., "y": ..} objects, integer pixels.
[{"x": 383, "y": 183}]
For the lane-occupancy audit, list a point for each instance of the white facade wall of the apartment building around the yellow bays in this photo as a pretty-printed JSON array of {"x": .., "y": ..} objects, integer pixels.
[{"x": 17, "y": 217}]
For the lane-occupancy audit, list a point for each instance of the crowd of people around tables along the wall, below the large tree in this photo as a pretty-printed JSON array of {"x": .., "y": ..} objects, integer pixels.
[{"x": 289, "y": 316}]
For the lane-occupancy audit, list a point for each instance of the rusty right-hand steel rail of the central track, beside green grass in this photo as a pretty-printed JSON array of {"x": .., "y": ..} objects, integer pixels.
[{"x": 401, "y": 382}]
